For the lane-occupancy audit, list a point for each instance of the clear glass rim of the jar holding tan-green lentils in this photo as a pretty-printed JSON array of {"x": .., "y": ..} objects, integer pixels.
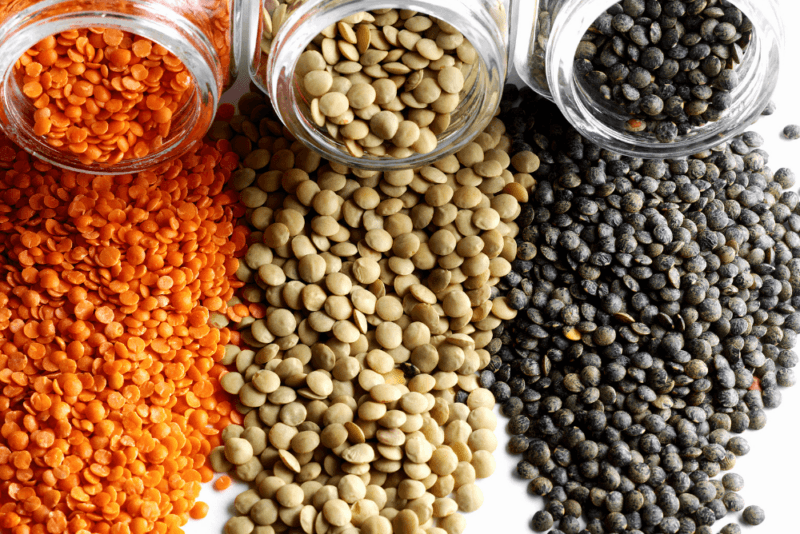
[{"x": 472, "y": 115}]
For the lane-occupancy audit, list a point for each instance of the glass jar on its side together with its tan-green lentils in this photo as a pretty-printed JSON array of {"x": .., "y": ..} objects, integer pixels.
[{"x": 376, "y": 86}]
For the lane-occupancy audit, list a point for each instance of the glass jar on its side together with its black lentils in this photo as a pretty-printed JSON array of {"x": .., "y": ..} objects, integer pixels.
[{"x": 584, "y": 54}]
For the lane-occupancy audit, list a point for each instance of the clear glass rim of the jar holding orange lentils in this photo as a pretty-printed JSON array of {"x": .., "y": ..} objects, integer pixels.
[{"x": 26, "y": 29}]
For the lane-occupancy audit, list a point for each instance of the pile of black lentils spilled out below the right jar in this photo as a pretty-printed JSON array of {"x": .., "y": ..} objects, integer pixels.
[{"x": 657, "y": 312}]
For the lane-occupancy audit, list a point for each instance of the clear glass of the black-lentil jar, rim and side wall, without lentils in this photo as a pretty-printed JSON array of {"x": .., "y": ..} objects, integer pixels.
[{"x": 548, "y": 35}]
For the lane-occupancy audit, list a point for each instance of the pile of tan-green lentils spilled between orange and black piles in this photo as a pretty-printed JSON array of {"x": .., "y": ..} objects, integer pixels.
[{"x": 359, "y": 389}]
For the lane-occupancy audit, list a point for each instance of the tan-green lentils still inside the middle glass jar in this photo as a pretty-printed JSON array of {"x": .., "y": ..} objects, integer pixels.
[{"x": 384, "y": 82}]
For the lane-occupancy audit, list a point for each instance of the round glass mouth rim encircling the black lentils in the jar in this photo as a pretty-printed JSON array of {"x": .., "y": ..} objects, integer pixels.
[{"x": 605, "y": 123}]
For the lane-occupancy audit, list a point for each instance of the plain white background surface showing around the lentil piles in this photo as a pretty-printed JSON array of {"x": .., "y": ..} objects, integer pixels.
[{"x": 771, "y": 470}]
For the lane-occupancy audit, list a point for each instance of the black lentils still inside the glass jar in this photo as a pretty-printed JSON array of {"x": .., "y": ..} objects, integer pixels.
[{"x": 669, "y": 64}]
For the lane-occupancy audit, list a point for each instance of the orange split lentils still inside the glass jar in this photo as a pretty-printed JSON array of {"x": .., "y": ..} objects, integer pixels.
[{"x": 89, "y": 76}]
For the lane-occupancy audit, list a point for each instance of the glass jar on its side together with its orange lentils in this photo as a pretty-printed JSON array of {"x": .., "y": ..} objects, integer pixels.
[{"x": 113, "y": 86}]
